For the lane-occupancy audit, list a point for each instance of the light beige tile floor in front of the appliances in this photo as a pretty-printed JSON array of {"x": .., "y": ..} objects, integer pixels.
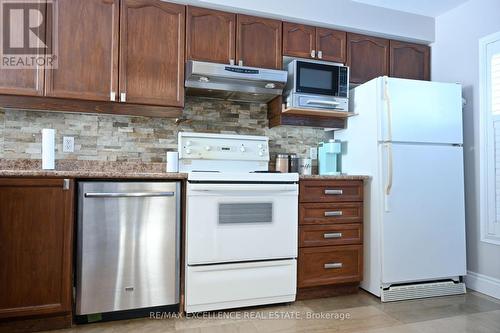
[{"x": 362, "y": 312}]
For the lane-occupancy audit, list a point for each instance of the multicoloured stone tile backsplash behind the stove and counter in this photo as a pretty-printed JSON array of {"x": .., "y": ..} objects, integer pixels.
[{"x": 136, "y": 139}]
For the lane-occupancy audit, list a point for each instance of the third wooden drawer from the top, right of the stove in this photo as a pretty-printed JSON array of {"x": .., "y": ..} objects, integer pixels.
[{"x": 324, "y": 235}]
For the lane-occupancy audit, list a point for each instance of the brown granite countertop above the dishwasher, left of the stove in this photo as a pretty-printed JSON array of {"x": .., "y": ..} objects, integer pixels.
[{"x": 88, "y": 169}]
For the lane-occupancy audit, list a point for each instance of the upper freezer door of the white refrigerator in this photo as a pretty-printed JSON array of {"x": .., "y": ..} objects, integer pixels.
[{"x": 421, "y": 111}]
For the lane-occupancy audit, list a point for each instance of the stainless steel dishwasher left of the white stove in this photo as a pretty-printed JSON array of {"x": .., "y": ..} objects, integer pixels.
[{"x": 127, "y": 246}]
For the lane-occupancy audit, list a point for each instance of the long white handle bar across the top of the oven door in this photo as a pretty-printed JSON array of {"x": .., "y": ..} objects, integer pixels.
[{"x": 268, "y": 188}]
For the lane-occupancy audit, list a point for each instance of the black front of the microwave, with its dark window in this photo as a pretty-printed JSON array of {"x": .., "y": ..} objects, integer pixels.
[{"x": 320, "y": 79}]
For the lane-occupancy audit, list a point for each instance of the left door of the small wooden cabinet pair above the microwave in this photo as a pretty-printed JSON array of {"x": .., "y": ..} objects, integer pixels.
[{"x": 299, "y": 40}]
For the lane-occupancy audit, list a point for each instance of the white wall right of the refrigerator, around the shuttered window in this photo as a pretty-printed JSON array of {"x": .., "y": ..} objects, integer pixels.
[{"x": 455, "y": 58}]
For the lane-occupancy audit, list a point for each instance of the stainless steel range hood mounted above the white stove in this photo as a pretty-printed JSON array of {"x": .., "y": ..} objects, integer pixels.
[{"x": 236, "y": 83}]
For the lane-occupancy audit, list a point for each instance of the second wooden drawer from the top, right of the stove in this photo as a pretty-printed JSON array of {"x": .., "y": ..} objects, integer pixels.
[{"x": 328, "y": 213}]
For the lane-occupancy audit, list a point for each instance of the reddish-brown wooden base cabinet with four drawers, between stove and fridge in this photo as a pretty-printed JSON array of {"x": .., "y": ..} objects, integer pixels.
[{"x": 330, "y": 258}]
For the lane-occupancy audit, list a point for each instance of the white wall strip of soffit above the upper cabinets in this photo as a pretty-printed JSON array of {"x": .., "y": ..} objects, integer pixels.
[{"x": 340, "y": 14}]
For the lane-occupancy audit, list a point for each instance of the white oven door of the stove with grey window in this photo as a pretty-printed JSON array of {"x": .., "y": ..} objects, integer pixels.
[{"x": 241, "y": 222}]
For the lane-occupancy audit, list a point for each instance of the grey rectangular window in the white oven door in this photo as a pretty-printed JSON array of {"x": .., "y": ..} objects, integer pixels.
[{"x": 259, "y": 212}]
